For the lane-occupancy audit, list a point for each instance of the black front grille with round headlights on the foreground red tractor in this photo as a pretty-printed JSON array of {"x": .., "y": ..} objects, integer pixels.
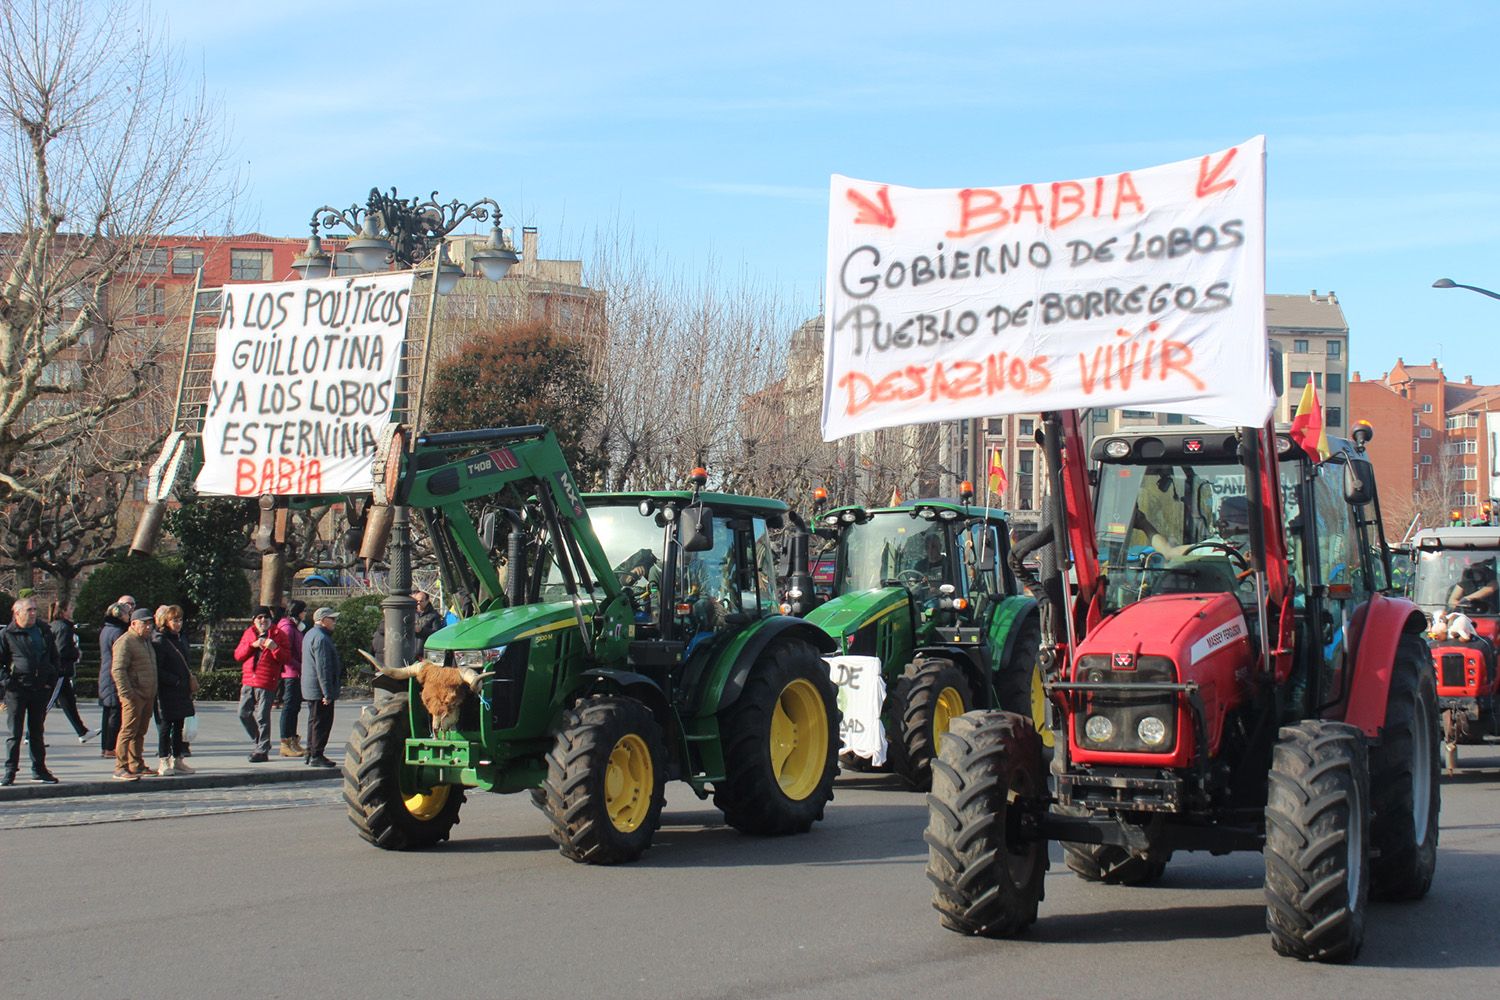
[{"x": 1124, "y": 707}]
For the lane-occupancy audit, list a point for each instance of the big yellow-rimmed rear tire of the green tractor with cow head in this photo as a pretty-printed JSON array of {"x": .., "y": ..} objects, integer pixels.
[{"x": 781, "y": 741}]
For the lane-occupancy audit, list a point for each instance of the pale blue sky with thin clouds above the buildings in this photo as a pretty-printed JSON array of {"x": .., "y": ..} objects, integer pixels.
[{"x": 709, "y": 131}]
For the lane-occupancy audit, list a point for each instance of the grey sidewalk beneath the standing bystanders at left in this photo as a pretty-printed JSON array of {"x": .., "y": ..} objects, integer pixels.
[{"x": 220, "y": 756}]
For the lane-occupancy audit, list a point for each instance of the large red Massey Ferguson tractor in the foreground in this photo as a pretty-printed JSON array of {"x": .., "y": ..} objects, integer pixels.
[{"x": 1228, "y": 671}]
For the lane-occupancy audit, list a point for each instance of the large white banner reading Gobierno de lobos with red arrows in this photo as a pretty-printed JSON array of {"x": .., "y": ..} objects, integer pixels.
[{"x": 1141, "y": 290}]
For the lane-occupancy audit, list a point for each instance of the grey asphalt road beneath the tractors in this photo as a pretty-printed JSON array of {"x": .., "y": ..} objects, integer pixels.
[{"x": 280, "y": 899}]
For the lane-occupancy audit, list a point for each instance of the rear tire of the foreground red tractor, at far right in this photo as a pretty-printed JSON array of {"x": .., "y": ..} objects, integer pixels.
[{"x": 1405, "y": 780}]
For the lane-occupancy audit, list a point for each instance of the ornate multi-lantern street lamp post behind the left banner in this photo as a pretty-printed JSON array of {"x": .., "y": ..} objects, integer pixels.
[{"x": 406, "y": 233}]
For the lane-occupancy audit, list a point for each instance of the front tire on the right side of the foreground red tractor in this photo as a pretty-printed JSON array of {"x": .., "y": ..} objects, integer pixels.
[{"x": 1318, "y": 851}]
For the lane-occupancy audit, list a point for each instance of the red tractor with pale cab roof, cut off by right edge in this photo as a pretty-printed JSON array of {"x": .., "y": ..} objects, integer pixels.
[{"x": 1456, "y": 572}]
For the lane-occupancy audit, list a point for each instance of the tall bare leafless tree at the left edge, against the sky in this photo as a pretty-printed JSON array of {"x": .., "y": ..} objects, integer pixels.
[{"x": 104, "y": 146}]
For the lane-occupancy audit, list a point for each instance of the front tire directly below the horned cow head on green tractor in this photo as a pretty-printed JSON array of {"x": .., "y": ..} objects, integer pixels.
[{"x": 379, "y": 789}]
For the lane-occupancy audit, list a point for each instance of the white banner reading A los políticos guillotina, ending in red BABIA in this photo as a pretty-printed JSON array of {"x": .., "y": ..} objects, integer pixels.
[{"x": 304, "y": 385}]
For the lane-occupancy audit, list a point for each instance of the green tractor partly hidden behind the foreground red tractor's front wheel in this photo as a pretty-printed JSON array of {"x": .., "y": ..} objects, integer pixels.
[{"x": 926, "y": 590}]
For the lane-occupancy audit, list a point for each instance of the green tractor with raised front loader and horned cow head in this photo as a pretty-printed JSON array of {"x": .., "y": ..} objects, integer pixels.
[{"x": 617, "y": 642}]
